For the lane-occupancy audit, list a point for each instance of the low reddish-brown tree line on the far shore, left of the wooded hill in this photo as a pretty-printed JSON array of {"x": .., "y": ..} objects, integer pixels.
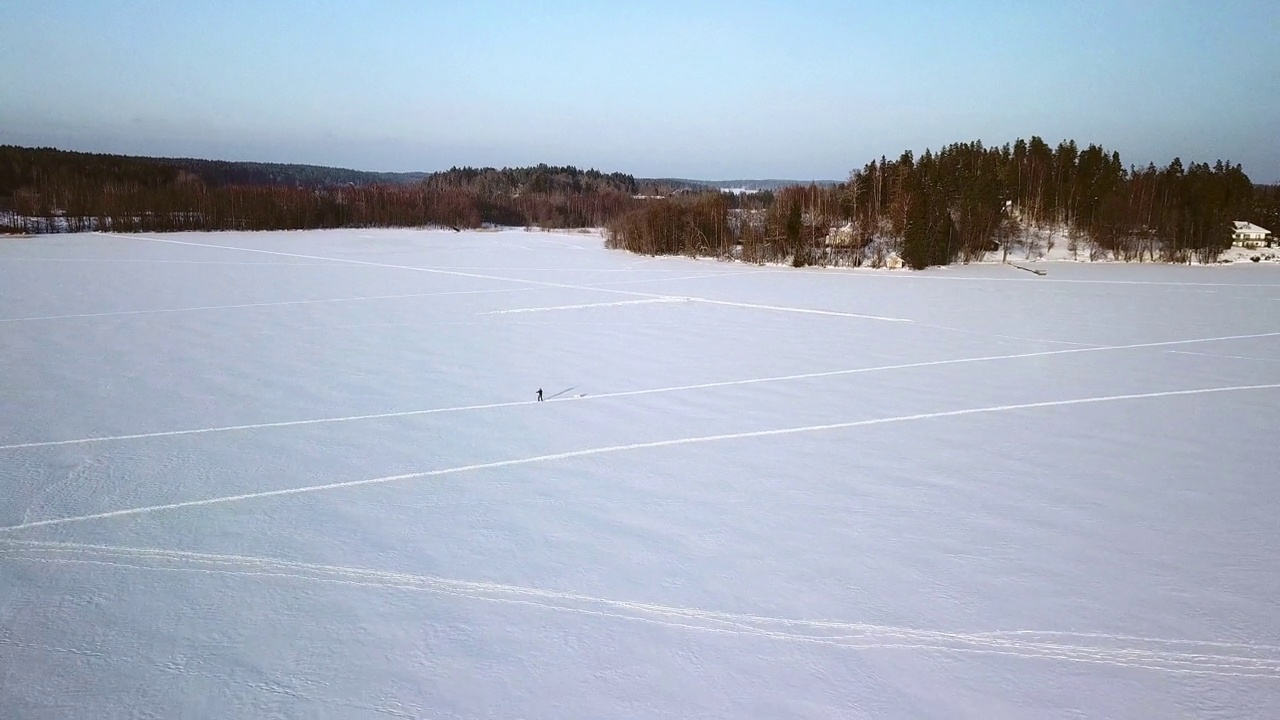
[{"x": 44, "y": 190}]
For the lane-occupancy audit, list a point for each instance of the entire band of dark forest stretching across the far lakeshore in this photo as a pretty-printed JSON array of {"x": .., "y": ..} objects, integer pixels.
[{"x": 958, "y": 204}]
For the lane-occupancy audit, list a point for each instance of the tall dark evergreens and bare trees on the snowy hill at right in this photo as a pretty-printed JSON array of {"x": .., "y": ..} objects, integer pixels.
[{"x": 968, "y": 200}]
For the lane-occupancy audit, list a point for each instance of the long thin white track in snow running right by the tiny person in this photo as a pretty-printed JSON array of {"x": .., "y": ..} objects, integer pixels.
[{"x": 628, "y": 394}]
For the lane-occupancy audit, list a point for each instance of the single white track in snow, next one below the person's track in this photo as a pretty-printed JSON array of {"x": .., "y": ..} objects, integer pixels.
[{"x": 612, "y": 449}]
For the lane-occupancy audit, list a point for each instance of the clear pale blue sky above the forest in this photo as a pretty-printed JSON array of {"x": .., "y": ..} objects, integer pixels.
[{"x": 712, "y": 90}]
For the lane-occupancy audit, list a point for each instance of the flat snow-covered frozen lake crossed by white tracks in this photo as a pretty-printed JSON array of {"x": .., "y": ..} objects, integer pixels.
[{"x": 303, "y": 475}]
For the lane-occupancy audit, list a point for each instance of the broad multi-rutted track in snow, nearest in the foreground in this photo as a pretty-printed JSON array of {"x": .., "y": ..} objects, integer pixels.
[{"x": 1178, "y": 657}]
